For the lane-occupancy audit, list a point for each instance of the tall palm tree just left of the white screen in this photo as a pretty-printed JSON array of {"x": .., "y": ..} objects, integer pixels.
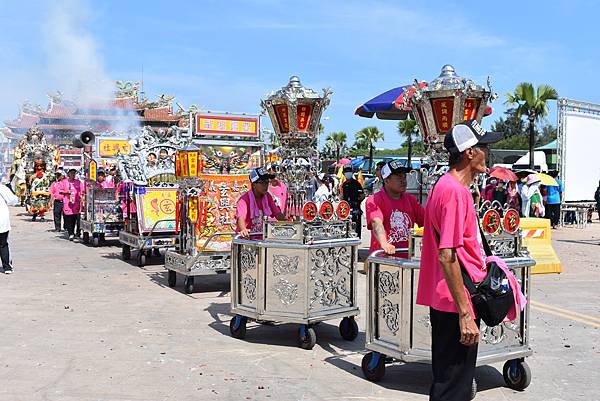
[{"x": 532, "y": 104}]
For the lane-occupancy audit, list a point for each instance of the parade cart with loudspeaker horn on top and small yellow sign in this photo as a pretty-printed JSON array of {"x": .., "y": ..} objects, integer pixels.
[{"x": 101, "y": 213}]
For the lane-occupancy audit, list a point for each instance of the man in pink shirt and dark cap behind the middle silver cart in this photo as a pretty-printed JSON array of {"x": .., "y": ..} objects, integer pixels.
[{"x": 253, "y": 205}]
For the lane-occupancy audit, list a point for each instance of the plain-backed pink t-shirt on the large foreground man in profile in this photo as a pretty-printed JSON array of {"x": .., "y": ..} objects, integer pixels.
[{"x": 450, "y": 212}]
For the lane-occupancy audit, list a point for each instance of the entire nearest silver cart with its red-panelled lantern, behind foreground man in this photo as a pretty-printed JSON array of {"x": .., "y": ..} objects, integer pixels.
[{"x": 397, "y": 328}]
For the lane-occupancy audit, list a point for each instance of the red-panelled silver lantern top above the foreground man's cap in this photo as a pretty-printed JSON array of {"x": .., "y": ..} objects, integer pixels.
[{"x": 446, "y": 101}]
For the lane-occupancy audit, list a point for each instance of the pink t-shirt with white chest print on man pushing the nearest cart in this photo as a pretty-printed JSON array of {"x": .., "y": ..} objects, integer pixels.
[{"x": 398, "y": 216}]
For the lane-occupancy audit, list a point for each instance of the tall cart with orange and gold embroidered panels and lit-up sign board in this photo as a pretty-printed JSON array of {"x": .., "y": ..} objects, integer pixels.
[{"x": 212, "y": 173}]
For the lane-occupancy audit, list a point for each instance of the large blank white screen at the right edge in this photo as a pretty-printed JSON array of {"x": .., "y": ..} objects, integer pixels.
[{"x": 581, "y": 153}]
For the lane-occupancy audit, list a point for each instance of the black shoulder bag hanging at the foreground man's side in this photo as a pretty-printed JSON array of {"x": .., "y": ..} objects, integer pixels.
[{"x": 493, "y": 297}]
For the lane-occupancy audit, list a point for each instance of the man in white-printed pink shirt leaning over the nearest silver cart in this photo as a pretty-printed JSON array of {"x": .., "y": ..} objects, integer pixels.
[{"x": 391, "y": 212}]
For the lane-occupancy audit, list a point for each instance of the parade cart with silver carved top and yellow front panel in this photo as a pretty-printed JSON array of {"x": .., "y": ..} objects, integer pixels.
[{"x": 148, "y": 193}]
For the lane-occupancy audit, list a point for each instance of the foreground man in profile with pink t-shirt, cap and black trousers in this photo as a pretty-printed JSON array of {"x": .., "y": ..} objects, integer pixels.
[{"x": 451, "y": 239}]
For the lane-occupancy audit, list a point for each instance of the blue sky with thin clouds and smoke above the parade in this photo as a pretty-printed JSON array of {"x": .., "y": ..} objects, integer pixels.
[{"x": 226, "y": 55}]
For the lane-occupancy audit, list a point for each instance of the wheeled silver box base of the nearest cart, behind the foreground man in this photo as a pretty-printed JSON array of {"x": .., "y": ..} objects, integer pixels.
[{"x": 399, "y": 330}]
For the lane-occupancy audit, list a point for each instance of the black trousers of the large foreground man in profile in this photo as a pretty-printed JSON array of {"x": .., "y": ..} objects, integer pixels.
[{"x": 453, "y": 364}]
